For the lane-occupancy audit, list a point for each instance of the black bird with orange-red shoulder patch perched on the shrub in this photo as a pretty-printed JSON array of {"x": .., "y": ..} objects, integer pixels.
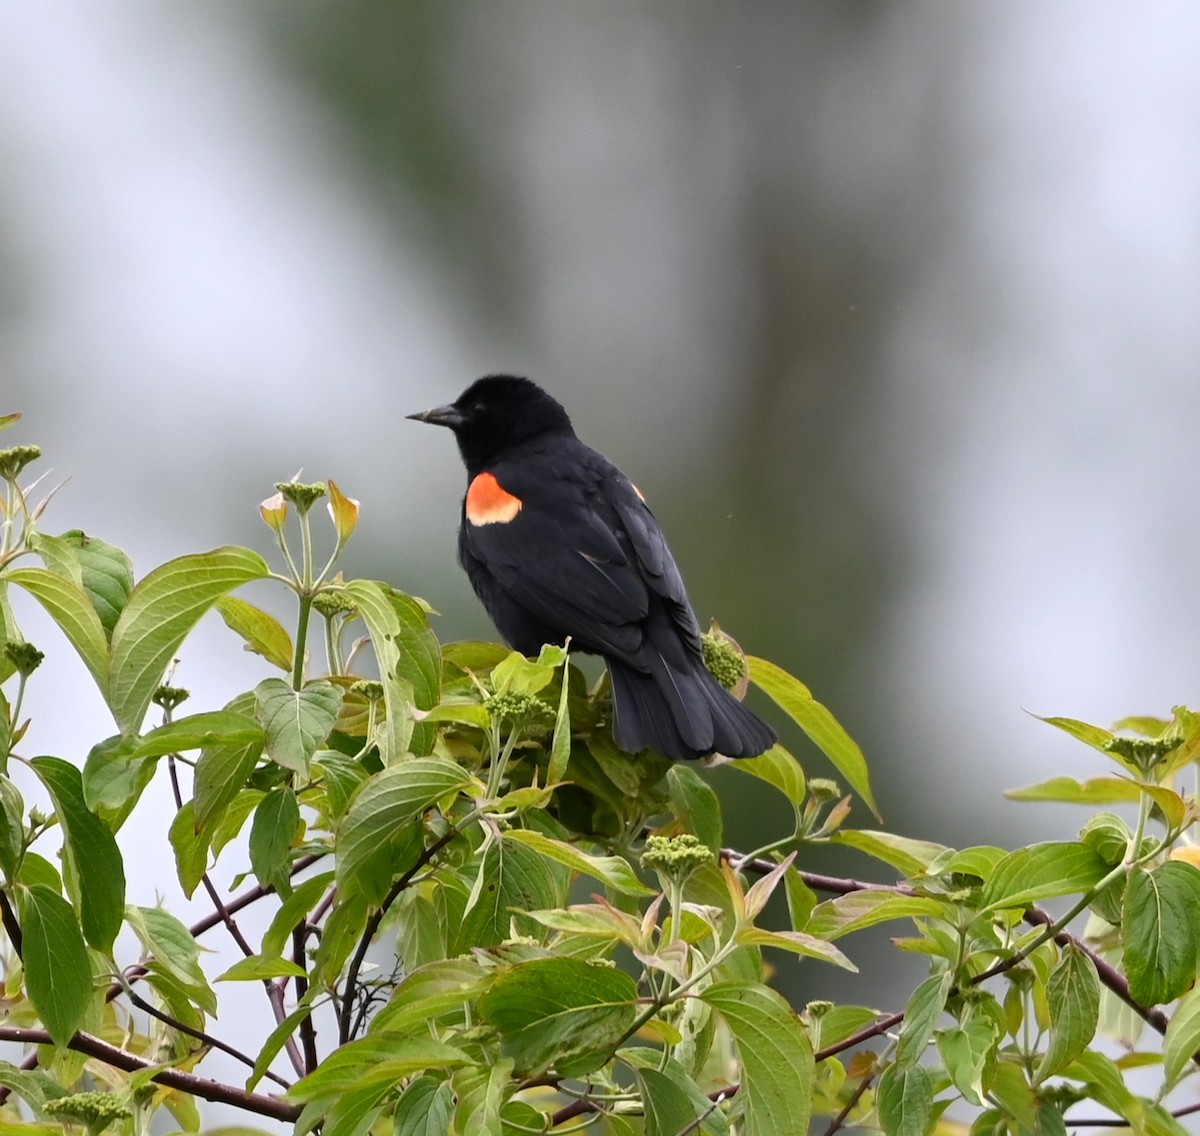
[{"x": 559, "y": 543}]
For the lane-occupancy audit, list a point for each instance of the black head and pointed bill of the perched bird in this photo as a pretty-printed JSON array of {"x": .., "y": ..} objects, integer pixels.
[{"x": 496, "y": 414}]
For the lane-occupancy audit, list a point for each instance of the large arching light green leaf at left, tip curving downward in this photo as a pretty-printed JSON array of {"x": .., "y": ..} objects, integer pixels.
[{"x": 163, "y": 609}]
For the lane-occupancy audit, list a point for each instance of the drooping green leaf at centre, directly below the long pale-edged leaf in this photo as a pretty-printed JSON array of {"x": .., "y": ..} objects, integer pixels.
[{"x": 512, "y": 879}]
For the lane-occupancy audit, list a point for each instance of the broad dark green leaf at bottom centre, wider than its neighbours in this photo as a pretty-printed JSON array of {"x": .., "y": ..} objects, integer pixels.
[{"x": 560, "y": 1012}]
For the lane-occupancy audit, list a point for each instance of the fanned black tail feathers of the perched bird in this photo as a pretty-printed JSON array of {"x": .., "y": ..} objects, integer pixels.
[{"x": 682, "y": 716}]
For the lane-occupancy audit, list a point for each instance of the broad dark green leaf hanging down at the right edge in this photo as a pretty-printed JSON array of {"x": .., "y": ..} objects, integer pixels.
[{"x": 1161, "y": 933}]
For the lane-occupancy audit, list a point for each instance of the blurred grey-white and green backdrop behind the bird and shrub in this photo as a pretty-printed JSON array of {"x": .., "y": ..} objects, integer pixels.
[{"x": 890, "y": 309}]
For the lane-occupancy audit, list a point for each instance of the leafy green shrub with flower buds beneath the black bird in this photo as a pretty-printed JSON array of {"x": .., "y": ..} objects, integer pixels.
[{"x": 485, "y": 919}]
